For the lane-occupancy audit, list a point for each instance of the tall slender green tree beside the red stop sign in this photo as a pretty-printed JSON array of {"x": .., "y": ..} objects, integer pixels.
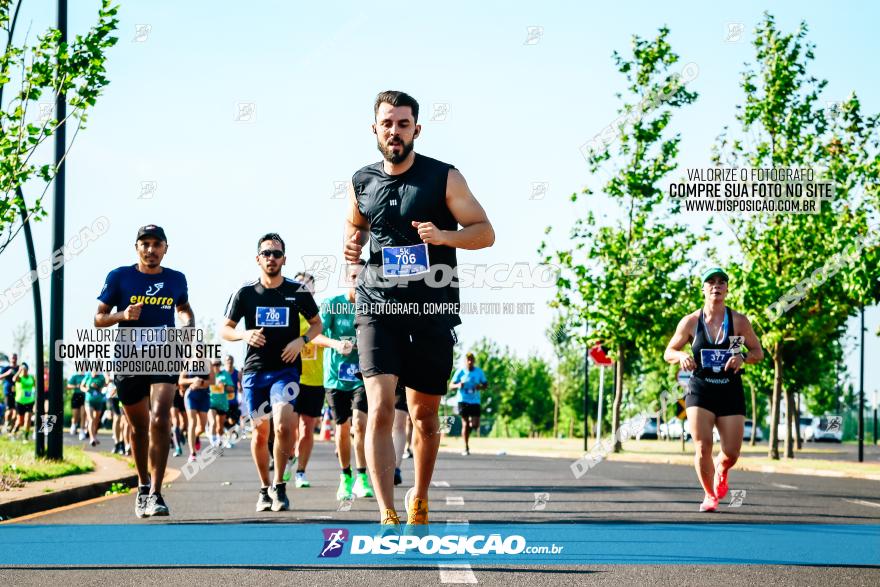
[{"x": 621, "y": 277}]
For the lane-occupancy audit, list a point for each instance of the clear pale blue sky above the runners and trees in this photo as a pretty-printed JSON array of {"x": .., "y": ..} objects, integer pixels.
[{"x": 517, "y": 113}]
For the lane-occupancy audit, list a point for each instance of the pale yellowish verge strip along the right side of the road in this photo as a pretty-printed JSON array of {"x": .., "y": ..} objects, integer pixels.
[{"x": 826, "y": 460}]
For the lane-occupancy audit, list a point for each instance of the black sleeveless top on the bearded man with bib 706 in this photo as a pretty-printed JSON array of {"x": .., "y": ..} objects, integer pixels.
[{"x": 390, "y": 203}]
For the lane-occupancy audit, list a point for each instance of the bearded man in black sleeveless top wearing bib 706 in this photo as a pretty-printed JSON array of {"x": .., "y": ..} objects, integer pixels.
[{"x": 407, "y": 296}]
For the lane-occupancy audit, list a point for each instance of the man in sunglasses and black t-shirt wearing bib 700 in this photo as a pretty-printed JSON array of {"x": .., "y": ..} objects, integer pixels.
[{"x": 271, "y": 306}]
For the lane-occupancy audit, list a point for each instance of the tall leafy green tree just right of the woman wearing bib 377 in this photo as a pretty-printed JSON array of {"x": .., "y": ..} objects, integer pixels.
[{"x": 784, "y": 125}]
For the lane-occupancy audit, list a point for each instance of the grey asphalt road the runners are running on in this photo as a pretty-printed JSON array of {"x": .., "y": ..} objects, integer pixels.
[{"x": 498, "y": 489}]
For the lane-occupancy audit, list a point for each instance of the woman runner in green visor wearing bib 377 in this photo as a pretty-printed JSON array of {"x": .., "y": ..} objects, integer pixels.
[{"x": 715, "y": 399}]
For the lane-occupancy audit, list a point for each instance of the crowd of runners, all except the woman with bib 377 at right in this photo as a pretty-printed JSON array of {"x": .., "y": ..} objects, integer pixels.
[{"x": 382, "y": 373}]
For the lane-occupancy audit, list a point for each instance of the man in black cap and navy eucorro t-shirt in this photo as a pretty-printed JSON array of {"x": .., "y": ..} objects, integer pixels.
[{"x": 145, "y": 295}]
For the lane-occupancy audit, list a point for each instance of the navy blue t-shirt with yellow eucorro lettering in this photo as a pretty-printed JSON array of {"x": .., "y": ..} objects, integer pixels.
[{"x": 160, "y": 293}]
